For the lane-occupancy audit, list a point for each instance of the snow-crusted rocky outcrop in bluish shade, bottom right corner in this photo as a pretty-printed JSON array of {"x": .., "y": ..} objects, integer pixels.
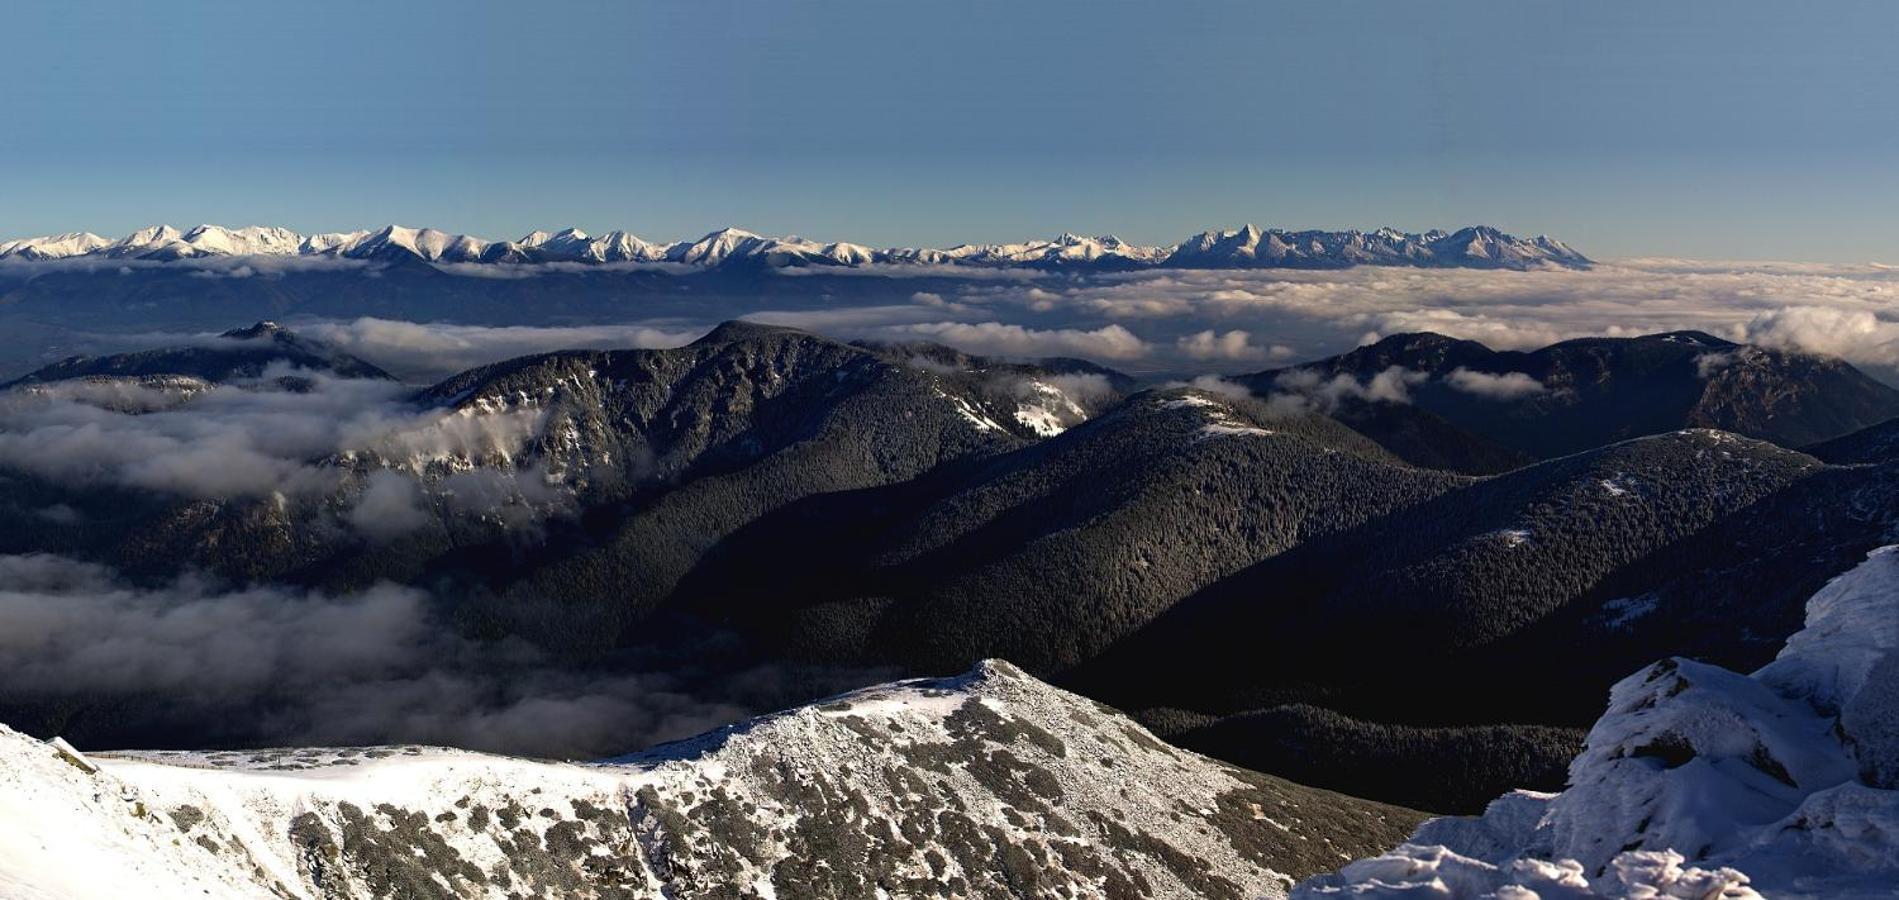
[{"x": 1702, "y": 783}]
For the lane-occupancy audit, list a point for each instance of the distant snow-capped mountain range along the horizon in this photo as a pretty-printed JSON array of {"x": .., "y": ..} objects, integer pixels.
[{"x": 732, "y": 248}]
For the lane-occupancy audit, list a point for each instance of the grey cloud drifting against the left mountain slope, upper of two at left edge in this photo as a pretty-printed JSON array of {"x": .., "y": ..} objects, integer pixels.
[{"x": 255, "y": 441}]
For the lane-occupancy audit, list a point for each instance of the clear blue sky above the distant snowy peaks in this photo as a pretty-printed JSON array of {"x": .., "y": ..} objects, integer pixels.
[{"x": 1721, "y": 130}]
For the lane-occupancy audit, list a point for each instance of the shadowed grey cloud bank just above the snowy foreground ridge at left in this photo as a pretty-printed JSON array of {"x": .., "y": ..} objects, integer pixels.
[{"x": 276, "y": 666}]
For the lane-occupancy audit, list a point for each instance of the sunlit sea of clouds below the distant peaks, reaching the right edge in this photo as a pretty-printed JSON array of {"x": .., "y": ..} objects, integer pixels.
[{"x": 1249, "y": 320}]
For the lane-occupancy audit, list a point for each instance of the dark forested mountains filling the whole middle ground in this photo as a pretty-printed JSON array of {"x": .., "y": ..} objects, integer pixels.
[{"x": 1446, "y": 567}]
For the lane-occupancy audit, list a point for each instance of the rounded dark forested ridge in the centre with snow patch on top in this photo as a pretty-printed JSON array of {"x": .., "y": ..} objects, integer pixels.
[{"x": 1049, "y": 553}]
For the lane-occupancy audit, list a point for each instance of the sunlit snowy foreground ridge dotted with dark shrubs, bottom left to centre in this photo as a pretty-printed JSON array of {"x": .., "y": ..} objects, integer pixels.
[{"x": 985, "y": 785}]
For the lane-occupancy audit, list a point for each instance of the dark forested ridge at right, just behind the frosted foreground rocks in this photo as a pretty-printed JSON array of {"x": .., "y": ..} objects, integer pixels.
[{"x": 1416, "y": 620}]
